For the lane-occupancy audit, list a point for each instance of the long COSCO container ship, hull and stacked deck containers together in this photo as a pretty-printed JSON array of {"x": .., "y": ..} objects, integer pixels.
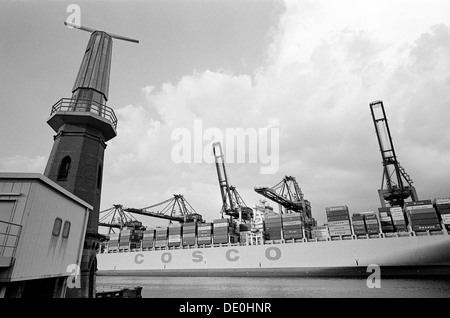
[{"x": 402, "y": 242}]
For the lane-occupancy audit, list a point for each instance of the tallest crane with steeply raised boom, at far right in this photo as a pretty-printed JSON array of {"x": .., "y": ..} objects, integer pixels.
[{"x": 396, "y": 184}]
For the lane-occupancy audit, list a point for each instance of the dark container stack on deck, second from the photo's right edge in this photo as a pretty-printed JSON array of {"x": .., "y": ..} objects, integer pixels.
[{"x": 422, "y": 216}]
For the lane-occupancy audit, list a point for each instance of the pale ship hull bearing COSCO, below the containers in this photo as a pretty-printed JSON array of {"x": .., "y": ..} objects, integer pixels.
[{"x": 396, "y": 257}]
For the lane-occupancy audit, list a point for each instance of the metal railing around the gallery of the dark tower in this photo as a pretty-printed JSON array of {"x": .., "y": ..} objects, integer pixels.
[{"x": 85, "y": 105}]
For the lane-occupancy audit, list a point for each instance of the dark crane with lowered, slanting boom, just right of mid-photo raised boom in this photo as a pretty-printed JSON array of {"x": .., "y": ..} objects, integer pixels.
[{"x": 287, "y": 194}]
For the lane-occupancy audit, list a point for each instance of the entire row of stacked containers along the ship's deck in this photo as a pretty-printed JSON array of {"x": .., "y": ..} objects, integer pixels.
[{"x": 421, "y": 215}]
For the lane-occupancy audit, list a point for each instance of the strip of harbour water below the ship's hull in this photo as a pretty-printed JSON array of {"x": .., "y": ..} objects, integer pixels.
[{"x": 273, "y": 287}]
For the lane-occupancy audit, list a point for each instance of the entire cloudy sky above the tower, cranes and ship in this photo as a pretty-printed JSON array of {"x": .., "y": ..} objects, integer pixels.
[{"x": 307, "y": 68}]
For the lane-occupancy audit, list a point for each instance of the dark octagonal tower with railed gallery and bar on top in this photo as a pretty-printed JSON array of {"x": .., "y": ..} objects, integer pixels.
[{"x": 83, "y": 124}]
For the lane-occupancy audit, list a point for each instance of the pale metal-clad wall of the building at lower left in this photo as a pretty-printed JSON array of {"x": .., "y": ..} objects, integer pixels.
[{"x": 39, "y": 253}]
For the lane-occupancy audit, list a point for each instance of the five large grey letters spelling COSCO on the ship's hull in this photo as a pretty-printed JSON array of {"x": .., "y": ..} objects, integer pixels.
[{"x": 197, "y": 256}]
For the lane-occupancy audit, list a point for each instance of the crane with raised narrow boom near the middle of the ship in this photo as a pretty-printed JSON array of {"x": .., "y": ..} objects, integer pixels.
[{"x": 232, "y": 203}]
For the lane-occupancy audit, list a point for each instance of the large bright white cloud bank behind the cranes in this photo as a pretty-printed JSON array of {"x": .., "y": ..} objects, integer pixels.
[{"x": 327, "y": 61}]
